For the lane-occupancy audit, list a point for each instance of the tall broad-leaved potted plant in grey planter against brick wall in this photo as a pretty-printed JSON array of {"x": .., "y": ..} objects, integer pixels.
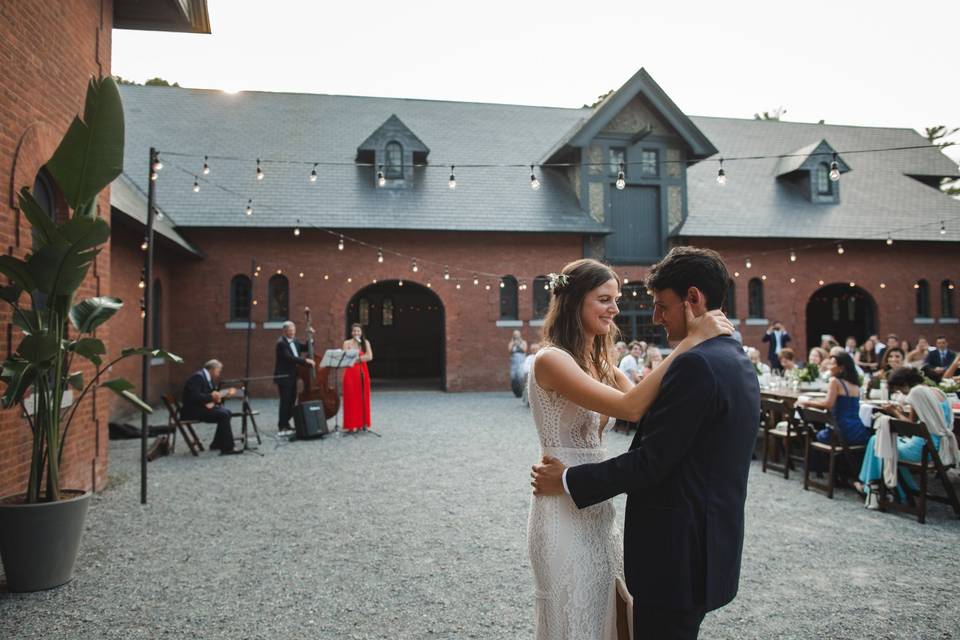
[{"x": 40, "y": 529}]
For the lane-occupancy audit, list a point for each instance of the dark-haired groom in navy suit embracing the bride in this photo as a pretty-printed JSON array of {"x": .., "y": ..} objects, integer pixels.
[{"x": 685, "y": 474}]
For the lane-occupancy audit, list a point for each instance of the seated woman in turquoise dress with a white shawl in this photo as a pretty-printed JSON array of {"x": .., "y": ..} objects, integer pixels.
[{"x": 909, "y": 449}]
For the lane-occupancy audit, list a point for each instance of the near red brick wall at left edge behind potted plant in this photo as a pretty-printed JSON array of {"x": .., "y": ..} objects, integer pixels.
[{"x": 48, "y": 51}]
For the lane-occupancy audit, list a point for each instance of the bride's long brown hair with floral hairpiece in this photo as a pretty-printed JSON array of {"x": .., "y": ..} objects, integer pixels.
[{"x": 563, "y": 326}]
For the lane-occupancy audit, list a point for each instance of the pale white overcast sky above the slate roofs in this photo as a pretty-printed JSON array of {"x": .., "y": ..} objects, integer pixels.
[{"x": 845, "y": 61}]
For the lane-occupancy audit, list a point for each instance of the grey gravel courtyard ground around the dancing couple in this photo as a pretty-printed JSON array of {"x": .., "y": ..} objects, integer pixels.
[{"x": 421, "y": 534}]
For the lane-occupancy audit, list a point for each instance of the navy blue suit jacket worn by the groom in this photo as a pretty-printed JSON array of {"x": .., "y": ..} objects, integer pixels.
[{"x": 685, "y": 476}]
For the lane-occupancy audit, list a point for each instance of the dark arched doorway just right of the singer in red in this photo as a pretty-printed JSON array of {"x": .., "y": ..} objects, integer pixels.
[{"x": 405, "y": 326}]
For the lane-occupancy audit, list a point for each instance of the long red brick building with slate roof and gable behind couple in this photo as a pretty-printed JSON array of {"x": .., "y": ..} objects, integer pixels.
[{"x": 382, "y": 171}]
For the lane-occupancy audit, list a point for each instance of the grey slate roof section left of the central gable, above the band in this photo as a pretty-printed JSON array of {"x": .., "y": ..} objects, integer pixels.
[{"x": 318, "y": 128}]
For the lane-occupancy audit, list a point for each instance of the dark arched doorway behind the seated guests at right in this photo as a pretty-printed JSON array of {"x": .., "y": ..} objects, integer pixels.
[{"x": 840, "y": 310}]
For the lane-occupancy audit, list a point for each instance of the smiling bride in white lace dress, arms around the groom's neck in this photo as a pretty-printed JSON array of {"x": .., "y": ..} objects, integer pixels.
[{"x": 575, "y": 391}]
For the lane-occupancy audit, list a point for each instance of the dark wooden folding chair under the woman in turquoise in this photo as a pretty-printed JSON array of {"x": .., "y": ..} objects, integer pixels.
[{"x": 929, "y": 461}]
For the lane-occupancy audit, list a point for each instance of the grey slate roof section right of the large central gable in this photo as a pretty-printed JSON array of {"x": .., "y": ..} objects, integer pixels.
[{"x": 876, "y": 195}]
